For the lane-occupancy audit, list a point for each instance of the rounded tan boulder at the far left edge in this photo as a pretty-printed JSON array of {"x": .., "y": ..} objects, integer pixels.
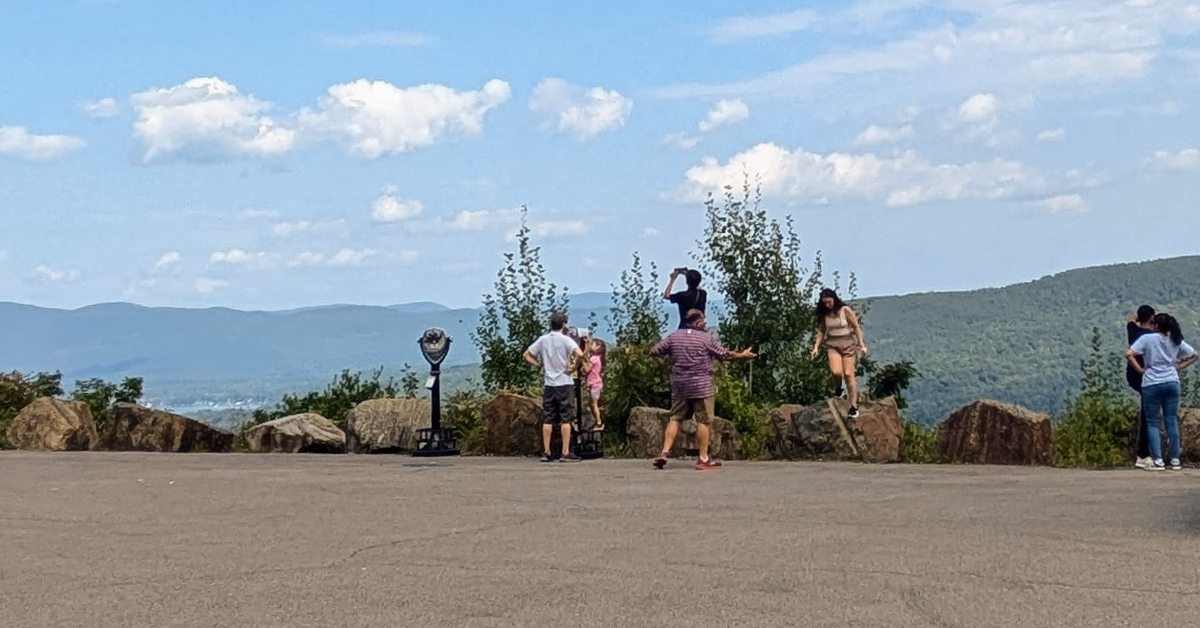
[{"x": 53, "y": 426}]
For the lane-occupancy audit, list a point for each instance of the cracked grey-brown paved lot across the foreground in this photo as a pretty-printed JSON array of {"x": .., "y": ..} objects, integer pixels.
[{"x": 146, "y": 540}]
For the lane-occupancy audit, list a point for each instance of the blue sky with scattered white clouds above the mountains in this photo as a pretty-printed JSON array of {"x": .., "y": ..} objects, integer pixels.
[{"x": 280, "y": 154}]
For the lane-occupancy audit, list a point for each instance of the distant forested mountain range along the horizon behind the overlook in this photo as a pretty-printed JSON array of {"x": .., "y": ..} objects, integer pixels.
[{"x": 1021, "y": 344}]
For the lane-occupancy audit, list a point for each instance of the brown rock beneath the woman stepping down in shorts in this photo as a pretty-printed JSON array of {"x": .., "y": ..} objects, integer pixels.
[{"x": 825, "y": 432}]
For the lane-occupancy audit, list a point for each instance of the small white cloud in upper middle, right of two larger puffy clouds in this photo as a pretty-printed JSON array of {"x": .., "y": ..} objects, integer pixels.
[{"x": 581, "y": 112}]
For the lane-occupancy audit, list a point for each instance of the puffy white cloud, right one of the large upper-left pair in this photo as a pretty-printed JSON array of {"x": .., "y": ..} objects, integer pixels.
[{"x": 375, "y": 118}]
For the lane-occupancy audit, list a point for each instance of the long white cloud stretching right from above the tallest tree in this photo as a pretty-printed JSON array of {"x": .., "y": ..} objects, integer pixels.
[{"x": 904, "y": 180}]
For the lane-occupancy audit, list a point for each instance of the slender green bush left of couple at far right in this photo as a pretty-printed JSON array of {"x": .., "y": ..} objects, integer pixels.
[{"x": 1095, "y": 430}]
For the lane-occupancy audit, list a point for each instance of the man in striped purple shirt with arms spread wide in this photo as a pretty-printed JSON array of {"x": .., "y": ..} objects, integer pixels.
[{"x": 693, "y": 352}]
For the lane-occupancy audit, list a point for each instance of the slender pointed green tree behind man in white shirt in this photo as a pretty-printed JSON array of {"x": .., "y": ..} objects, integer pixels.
[{"x": 515, "y": 315}]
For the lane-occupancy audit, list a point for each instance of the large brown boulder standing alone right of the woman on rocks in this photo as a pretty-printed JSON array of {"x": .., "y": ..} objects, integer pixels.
[{"x": 991, "y": 433}]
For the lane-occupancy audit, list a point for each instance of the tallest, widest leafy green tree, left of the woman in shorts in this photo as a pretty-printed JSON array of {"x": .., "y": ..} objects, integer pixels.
[{"x": 755, "y": 264}]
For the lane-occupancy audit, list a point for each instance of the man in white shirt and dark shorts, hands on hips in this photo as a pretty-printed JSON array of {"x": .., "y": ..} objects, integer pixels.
[{"x": 555, "y": 354}]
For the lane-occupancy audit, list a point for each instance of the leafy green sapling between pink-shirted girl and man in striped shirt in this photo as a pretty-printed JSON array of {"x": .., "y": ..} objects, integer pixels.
[{"x": 638, "y": 321}]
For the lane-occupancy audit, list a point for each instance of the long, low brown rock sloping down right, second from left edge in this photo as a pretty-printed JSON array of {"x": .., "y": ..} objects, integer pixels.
[{"x": 137, "y": 429}]
